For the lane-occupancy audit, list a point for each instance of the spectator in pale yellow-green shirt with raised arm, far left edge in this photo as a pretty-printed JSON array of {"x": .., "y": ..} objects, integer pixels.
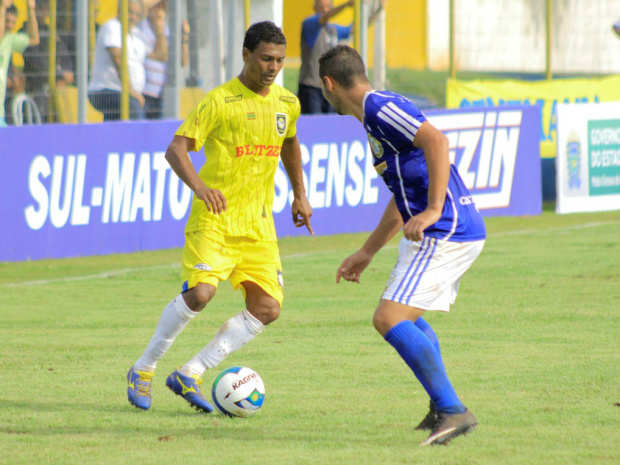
[{"x": 13, "y": 42}]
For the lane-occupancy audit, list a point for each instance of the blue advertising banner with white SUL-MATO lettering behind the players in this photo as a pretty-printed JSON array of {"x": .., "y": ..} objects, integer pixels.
[{"x": 73, "y": 190}]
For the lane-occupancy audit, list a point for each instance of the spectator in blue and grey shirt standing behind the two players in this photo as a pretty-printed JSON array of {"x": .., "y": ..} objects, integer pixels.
[{"x": 317, "y": 36}]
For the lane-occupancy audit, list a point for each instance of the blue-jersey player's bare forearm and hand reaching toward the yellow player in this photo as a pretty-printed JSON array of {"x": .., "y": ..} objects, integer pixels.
[{"x": 353, "y": 266}]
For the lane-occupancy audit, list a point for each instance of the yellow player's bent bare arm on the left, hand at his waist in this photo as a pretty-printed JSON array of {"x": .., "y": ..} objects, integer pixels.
[{"x": 177, "y": 156}]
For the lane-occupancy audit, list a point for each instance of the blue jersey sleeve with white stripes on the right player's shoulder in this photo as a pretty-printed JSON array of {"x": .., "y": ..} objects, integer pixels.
[{"x": 397, "y": 119}]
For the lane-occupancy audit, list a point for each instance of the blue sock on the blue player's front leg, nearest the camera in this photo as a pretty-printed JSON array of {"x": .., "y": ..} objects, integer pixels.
[{"x": 420, "y": 355}]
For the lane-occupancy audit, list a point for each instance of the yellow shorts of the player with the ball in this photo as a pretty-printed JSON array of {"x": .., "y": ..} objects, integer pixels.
[{"x": 210, "y": 257}]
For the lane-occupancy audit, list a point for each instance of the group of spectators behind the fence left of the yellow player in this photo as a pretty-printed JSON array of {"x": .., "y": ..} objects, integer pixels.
[{"x": 24, "y": 60}]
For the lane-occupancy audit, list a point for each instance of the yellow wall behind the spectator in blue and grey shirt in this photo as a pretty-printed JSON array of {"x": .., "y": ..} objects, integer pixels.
[{"x": 405, "y": 31}]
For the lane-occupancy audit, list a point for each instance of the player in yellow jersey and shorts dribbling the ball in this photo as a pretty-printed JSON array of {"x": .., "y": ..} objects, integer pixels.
[{"x": 245, "y": 126}]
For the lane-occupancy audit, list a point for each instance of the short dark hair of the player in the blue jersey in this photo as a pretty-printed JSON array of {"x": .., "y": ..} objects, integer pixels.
[{"x": 344, "y": 65}]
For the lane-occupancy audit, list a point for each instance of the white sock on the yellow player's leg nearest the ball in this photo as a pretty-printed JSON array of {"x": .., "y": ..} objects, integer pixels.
[{"x": 232, "y": 336}]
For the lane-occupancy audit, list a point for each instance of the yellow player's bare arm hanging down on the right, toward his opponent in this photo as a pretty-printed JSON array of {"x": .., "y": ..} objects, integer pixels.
[{"x": 291, "y": 159}]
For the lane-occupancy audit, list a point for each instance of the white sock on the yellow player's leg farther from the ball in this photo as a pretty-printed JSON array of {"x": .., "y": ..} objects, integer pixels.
[{"x": 173, "y": 319}]
